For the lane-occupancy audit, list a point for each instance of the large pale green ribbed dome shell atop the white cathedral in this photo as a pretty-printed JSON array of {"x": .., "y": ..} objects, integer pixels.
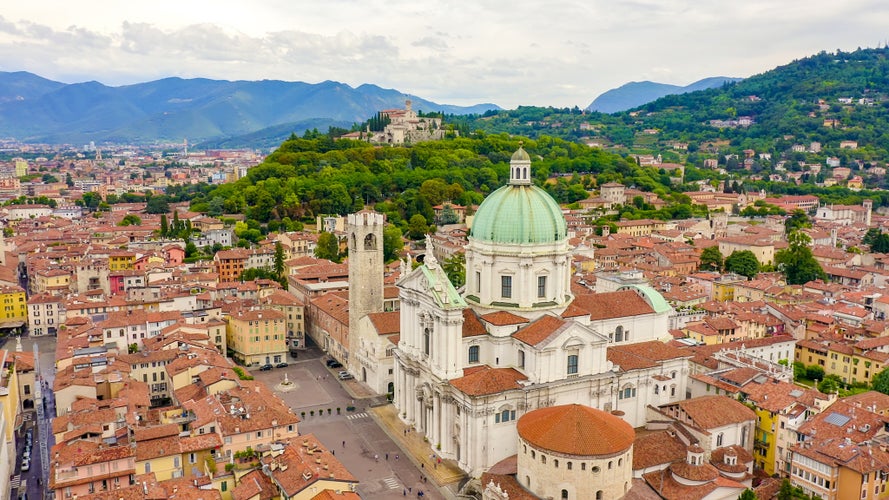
[{"x": 517, "y": 214}]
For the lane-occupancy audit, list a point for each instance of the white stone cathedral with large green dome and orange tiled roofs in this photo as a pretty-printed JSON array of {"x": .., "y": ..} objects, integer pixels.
[{"x": 469, "y": 365}]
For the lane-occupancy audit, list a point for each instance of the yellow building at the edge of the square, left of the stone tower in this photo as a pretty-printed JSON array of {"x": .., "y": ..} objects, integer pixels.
[{"x": 258, "y": 337}]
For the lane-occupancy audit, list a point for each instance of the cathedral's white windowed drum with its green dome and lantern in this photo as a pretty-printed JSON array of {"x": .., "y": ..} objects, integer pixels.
[{"x": 518, "y": 257}]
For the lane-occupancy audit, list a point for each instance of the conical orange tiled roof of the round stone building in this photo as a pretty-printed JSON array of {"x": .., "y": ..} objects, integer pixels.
[{"x": 576, "y": 430}]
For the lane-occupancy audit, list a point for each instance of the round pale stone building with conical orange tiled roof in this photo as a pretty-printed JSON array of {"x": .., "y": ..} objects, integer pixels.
[{"x": 574, "y": 452}]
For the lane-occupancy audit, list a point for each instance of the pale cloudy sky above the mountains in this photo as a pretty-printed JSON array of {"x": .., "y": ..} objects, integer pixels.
[{"x": 550, "y": 53}]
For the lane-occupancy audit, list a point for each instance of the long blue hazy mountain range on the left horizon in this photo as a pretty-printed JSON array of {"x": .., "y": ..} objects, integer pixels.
[{"x": 38, "y": 110}]
